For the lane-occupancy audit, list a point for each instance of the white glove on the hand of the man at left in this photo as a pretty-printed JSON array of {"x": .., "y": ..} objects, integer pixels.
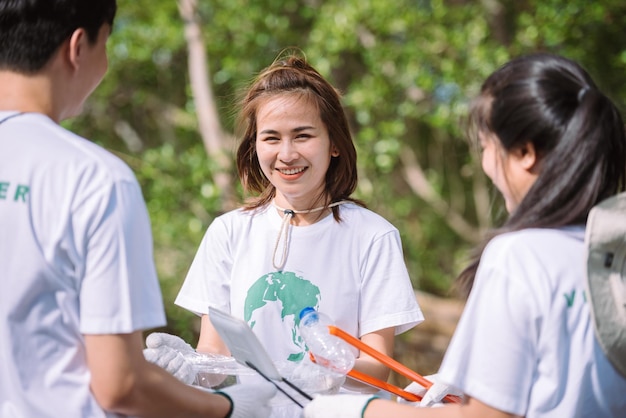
[{"x": 249, "y": 400}]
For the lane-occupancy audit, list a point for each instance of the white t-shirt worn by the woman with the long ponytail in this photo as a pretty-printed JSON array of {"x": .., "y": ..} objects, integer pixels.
[{"x": 525, "y": 343}]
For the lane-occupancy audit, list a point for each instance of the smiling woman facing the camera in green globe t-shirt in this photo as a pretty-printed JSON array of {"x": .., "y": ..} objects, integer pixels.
[{"x": 301, "y": 240}]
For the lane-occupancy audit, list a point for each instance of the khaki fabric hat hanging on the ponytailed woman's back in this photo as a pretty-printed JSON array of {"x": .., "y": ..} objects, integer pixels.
[{"x": 605, "y": 238}]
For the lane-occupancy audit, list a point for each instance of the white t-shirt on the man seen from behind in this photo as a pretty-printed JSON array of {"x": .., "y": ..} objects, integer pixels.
[{"x": 75, "y": 258}]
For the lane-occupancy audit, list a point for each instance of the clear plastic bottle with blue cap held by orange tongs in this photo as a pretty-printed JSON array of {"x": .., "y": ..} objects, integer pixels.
[{"x": 329, "y": 350}]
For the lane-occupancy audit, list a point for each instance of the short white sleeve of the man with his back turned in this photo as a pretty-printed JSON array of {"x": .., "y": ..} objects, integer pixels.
[{"x": 120, "y": 291}]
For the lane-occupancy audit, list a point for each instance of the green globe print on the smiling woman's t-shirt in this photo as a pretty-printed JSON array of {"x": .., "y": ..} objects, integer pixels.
[{"x": 292, "y": 293}]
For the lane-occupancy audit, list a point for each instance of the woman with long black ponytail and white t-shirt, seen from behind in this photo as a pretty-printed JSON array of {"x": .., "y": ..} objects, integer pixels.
[{"x": 554, "y": 146}]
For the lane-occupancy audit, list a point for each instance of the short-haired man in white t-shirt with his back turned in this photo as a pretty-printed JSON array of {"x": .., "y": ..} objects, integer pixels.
[{"x": 78, "y": 279}]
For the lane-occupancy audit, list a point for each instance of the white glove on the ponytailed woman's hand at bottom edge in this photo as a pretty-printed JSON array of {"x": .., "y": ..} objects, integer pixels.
[{"x": 338, "y": 406}]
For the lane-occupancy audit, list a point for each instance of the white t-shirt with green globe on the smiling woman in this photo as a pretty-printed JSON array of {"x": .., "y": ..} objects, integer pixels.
[{"x": 353, "y": 271}]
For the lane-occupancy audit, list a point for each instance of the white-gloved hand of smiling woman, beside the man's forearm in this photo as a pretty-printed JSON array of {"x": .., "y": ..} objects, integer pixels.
[{"x": 168, "y": 352}]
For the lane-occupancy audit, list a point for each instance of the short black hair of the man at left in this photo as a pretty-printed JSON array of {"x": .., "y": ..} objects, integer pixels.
[{"x": 31, "y": 31}]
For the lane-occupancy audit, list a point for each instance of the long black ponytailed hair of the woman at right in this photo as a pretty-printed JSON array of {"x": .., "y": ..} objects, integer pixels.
[{"x": 577, "y": 132}]
